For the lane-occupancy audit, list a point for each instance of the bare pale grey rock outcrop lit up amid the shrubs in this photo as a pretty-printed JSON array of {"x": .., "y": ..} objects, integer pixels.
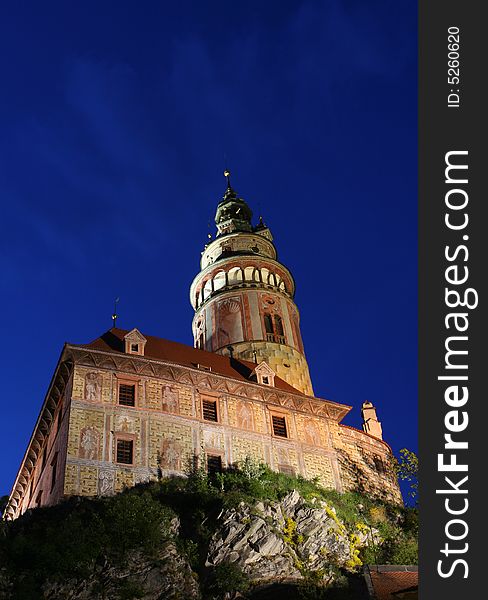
[{"x": 284, "y": 540}]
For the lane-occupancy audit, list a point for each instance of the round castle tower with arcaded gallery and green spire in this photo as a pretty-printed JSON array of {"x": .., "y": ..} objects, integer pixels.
[{"x": 243, "y": 296}]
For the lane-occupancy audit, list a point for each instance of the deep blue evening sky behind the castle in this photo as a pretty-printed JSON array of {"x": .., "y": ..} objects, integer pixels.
[{"x": 115, "y": 118}]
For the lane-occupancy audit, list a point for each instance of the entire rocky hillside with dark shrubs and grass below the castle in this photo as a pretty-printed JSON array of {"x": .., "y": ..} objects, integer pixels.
[{"x": 197, "y": 539}]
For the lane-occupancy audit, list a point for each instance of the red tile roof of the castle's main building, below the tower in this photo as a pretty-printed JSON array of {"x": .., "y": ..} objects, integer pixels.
[{"x": 181, "y": 354}]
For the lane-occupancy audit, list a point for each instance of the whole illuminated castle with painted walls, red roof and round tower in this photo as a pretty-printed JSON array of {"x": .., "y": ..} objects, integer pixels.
[{"x": 129, "y": 407}]
